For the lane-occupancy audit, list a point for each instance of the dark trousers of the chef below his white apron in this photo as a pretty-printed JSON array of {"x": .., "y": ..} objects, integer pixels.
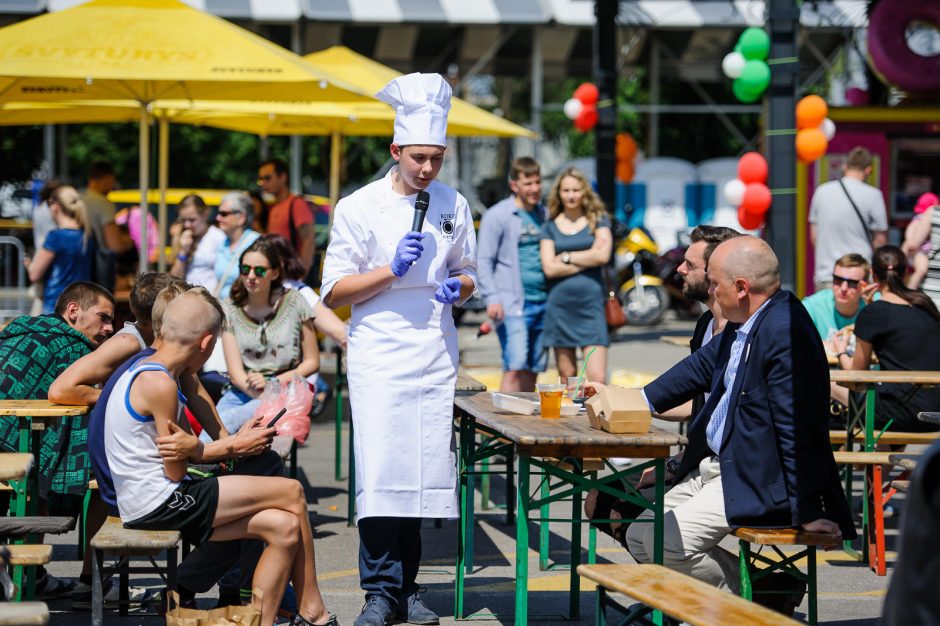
[{"x": 389, "y": 556}]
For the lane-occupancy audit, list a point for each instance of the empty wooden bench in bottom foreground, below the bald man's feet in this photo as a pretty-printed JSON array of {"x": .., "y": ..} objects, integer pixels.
[{"x": 680, "y": 596}]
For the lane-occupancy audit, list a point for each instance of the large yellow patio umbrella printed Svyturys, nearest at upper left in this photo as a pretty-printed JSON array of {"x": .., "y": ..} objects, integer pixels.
[{"x": 145, "y": 50}]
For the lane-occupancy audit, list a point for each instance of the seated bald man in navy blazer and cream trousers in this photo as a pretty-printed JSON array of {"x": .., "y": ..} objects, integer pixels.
[{"x": 758, "y": 453}]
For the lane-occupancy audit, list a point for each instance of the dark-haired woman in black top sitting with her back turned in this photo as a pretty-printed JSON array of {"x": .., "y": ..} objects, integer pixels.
[{"x": 903, "y": 329}]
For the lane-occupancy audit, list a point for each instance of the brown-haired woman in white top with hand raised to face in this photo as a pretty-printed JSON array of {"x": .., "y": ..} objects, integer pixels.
[{"x": 196, "y": 243}]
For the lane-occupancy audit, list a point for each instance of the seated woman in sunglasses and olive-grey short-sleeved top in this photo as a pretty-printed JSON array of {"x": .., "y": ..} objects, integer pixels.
[{"x": 269, "y": 333}]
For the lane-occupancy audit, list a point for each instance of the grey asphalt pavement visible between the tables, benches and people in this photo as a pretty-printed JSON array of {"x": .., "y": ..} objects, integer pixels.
[{"x": 849, "y": 593}]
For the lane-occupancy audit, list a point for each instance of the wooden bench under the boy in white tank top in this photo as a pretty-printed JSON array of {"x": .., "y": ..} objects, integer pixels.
[{"x": 113, "y": 539}]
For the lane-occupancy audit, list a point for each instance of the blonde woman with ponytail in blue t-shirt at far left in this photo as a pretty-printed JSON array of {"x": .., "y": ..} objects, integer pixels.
[{"x": 65, "y": 255}]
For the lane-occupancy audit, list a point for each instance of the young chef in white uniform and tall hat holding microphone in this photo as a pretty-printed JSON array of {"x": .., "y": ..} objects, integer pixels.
[{"x": 402, "y": 350}]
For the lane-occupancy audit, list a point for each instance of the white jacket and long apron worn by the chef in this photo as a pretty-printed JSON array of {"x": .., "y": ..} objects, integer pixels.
[{"x": 402, "y": 352}]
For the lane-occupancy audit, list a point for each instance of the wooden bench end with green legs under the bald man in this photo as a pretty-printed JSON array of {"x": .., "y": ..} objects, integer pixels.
[{"x": 774, "y": 537}]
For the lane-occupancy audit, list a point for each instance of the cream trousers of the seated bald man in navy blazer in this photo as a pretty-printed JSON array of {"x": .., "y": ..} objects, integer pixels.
[{"x": 694, "y": 524}]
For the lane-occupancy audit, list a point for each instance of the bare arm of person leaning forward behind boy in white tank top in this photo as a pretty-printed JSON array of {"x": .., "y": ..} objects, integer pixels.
[{"x": 76, "y": 385}]
